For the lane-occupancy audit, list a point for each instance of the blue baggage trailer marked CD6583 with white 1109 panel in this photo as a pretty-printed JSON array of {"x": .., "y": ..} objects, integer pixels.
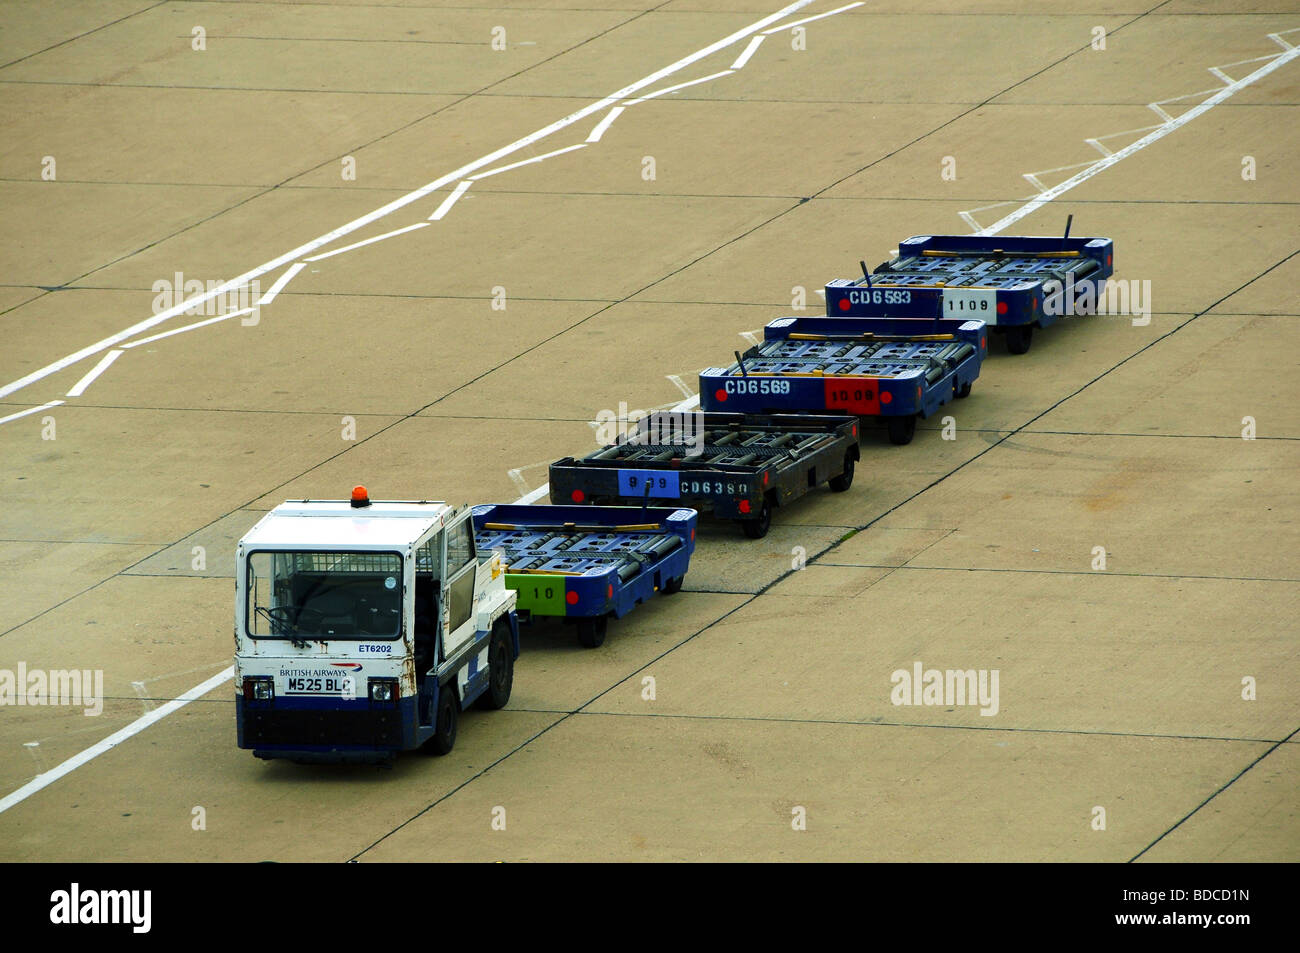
[{"x": 1013, "y": 284}]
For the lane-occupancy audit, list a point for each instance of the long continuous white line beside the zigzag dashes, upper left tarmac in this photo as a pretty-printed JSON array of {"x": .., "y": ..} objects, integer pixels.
[{"x": 402, "y": 202}]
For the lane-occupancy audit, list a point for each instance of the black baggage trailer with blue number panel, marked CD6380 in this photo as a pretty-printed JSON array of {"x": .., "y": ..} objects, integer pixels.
[{"x": 738, "y": 466}]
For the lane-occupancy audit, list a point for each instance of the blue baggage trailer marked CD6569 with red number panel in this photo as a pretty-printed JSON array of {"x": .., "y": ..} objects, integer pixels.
[{"x": 898, "y": 370}]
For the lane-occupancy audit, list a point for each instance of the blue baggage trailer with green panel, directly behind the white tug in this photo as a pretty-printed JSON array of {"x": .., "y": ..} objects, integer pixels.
[{"x": 586, "y": 564}]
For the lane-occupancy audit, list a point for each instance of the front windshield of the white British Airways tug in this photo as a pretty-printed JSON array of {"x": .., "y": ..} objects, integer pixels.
[{"x": 304, "y": 596}]
